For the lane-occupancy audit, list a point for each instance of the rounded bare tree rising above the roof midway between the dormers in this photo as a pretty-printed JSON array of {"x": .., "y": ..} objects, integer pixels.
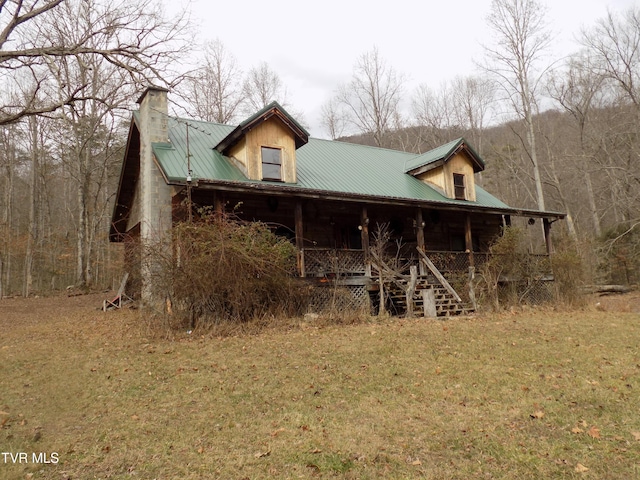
[{"x": 373, "y": 95}]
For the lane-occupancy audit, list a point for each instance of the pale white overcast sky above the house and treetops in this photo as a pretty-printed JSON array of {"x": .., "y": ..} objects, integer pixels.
[{"x": 314, "y": 45}]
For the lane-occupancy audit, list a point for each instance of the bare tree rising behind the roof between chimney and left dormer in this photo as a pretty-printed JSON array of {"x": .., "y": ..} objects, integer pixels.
[{"x": 213, "y": 92}]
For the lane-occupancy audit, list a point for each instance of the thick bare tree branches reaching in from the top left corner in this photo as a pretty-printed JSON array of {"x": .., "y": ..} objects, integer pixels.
[{"x": 132, "y": 36}]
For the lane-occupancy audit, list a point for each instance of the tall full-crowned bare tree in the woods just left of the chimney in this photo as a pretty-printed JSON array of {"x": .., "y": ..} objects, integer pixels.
[{"x": 89, "y": 128}]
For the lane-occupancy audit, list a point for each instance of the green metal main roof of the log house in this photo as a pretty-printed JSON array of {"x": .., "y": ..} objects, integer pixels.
[{"x": 323, "y": 167}]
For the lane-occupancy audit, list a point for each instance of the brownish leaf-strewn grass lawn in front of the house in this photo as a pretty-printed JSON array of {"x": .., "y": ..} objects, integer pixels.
[{"x": 531, "y": 394}]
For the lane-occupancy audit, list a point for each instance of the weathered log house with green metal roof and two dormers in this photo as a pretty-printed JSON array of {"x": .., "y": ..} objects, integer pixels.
[{"x": 326, "y": 196}]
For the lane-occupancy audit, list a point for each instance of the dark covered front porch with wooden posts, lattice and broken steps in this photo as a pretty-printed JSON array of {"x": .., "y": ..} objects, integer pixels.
[{"x": 437, "y": 247}]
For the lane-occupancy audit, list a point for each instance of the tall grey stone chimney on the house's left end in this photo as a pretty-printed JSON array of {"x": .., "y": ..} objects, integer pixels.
[{"x": 155, "y": 194}]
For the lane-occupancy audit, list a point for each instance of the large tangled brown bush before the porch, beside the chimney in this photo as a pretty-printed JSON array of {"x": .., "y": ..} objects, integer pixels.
[{"x": 223, "y": 269}]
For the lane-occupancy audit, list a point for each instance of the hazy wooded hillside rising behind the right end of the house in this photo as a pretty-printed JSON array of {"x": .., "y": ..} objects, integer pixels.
[{"x": 591, "y": 174}]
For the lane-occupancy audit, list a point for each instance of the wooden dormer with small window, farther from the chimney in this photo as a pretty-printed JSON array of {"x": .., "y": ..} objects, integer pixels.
[{"x": 449, "y": 169}]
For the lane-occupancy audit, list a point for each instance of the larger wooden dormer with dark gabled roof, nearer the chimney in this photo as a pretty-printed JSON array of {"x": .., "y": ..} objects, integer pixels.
[{"x": 264, "y": 145}]
